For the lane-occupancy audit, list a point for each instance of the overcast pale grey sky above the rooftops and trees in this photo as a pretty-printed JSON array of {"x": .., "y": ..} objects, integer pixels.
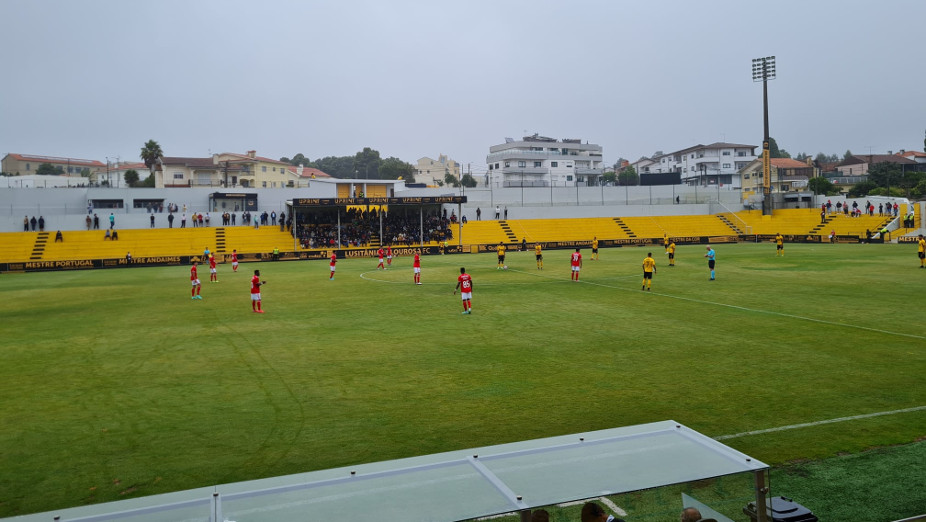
[{"x": 97, "y": 78}]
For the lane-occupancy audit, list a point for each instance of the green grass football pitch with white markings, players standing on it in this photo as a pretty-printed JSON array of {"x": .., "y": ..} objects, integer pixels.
[{"x": 116, "y": 384}]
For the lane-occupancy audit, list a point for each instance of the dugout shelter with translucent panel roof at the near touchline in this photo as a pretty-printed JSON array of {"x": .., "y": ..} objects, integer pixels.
[{"x": 462, "y": 485}]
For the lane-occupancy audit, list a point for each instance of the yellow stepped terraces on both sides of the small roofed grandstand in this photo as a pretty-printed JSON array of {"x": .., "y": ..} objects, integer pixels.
[{"x": 79, "y": 245}]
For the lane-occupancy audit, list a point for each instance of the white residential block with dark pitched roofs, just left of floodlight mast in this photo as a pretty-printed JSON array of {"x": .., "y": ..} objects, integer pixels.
[{"x": 705, "y": 165}]
